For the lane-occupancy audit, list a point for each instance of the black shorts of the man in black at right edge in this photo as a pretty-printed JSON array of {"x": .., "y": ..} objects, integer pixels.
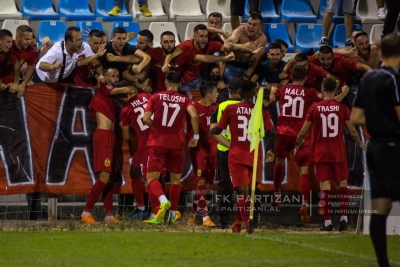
[{"x": 383, "y": 162}]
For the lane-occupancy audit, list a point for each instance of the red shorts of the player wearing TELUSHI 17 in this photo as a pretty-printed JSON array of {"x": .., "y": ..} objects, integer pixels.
[{"x": 161, "y": 157}]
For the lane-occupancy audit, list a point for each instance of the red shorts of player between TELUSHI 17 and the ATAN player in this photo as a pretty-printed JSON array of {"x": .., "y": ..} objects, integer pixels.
[{"x": 204, "y": 166}]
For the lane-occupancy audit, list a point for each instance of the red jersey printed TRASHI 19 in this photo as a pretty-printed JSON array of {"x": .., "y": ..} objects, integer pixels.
[{"x": 328, "y": 118}]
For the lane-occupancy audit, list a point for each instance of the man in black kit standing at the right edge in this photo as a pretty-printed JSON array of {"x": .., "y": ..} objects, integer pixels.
[{"x": 377, "y": 105}]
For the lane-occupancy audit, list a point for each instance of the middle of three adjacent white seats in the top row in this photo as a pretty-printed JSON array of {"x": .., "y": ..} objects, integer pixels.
[{"x": 186, "y": 10}]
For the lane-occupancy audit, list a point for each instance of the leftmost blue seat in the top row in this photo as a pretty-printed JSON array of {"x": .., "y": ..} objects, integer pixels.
[{"x": 39, "y": 10}]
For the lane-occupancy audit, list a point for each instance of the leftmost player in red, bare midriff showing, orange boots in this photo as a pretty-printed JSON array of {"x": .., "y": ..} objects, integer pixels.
[{"x": 104, "y": 112}]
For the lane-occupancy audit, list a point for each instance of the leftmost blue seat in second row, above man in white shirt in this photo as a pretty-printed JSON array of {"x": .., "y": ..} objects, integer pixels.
[{"x": 54, "y": 29}]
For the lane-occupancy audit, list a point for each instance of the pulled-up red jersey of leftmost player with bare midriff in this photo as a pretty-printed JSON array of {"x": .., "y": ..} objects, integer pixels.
[{"x": 102, "y": 102}]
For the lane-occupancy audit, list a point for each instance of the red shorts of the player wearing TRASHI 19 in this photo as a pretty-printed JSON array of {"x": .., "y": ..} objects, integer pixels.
[{"x": 325, "y": 170}]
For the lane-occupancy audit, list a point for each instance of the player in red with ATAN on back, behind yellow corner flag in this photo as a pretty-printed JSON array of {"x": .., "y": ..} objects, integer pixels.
[{"x": 240, "y": 159}]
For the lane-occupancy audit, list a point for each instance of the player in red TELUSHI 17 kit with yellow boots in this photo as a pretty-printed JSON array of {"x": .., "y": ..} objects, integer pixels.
[{"x": 167, "y": 142}]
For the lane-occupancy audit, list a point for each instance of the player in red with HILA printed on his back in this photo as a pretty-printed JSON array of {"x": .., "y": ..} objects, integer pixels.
[{"x": 132, "y": 115}]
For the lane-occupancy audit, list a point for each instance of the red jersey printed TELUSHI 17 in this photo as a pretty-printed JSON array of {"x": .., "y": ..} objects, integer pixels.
[{"x": 169, "y": 109}]
